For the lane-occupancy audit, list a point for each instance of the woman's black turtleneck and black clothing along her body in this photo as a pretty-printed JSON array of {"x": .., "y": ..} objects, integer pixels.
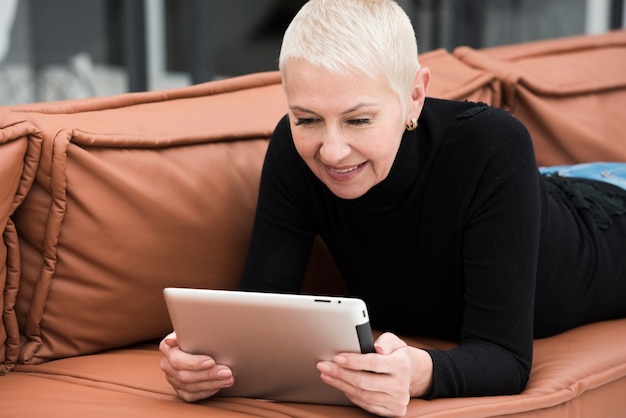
[{"x": 464, "y": 240}]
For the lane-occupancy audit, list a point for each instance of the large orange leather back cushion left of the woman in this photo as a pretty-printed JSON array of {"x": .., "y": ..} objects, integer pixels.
[{"x": 132, "y": 195}]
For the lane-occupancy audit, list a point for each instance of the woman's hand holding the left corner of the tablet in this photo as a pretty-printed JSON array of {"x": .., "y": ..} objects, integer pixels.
[{"x": 194, "y": 377}]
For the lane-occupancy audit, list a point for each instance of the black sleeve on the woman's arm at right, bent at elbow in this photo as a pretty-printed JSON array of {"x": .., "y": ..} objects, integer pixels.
[{"x": 500, "y": 251}]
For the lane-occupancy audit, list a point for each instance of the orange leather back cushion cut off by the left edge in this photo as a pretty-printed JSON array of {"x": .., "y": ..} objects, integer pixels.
[{"x": 19, "y": 148}]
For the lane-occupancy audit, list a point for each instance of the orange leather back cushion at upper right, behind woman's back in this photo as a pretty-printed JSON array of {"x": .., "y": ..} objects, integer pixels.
[{"x": 569, "y": 92}]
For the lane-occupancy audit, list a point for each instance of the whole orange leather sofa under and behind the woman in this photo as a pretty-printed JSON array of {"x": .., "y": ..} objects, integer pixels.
[{"x": 106, "y": 201}]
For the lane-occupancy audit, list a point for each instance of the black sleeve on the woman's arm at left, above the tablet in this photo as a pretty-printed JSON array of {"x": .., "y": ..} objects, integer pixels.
[{"x": 283, "y": 230}]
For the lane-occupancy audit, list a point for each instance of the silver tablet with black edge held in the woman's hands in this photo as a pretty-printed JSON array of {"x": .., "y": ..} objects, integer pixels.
[{"x": 272, "y": 342}]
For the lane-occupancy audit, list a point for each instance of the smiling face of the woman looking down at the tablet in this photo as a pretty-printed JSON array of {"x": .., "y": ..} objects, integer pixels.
[{"x": 347, "y": 128}]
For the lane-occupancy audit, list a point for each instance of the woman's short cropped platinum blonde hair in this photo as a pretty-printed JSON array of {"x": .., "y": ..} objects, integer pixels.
[{"x": 374, "y": 37}]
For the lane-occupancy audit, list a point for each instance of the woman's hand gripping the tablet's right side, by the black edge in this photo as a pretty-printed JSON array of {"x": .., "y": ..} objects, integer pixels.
[{"x": 382, "y": 382}]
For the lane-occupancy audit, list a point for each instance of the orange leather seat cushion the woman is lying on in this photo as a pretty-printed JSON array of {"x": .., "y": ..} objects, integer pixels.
[{"x": 577, "y": 373}]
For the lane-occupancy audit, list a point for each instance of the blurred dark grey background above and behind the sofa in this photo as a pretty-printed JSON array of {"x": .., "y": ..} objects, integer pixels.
[{"x": 63, "y": 49}]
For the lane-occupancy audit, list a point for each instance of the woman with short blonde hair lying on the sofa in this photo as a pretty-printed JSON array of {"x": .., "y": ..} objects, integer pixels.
[{"x": 441, "y": 201}]
